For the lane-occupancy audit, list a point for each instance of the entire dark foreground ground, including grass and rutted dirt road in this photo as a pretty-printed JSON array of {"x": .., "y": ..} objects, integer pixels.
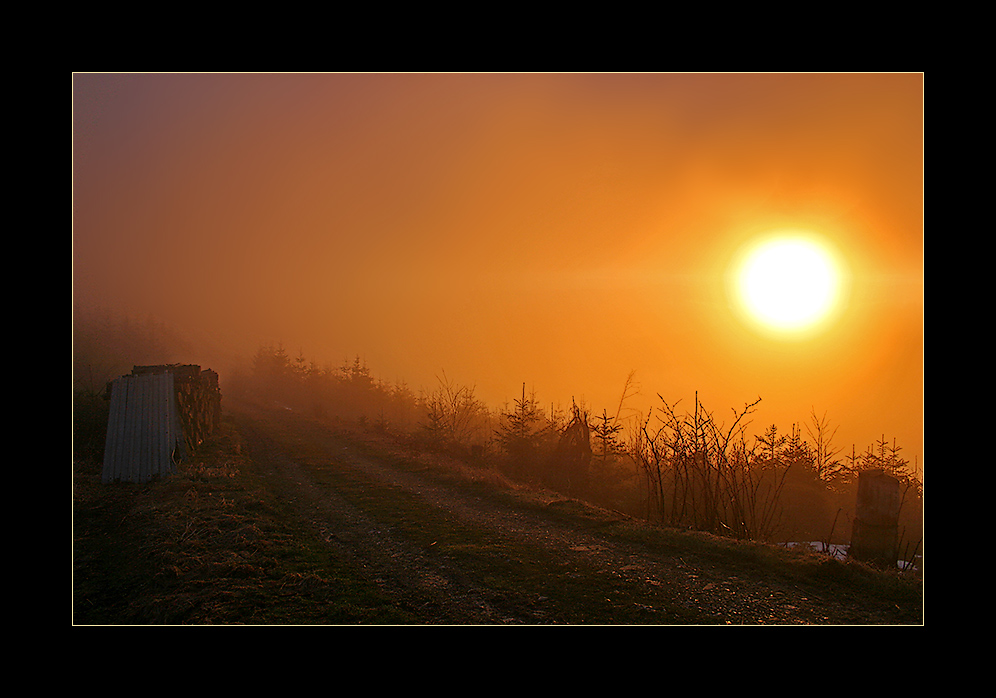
[{"x": 280, "y": 520}]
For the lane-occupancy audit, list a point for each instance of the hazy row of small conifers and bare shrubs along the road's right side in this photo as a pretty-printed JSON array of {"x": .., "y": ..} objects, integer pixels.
[{"x": 683, "y": 468}]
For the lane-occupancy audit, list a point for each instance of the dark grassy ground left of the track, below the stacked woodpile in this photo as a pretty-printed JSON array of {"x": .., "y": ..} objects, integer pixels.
[{"x": 210, "y": 545}]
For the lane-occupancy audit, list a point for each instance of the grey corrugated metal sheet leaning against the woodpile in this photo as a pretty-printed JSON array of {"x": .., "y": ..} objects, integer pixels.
[{"x": 144, "y": 437}]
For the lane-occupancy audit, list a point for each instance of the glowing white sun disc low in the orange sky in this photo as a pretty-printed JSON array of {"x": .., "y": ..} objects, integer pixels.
[{"x": 788, "y": 282}]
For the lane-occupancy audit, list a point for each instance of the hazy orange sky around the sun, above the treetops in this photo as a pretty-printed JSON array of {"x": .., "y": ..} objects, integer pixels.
[{"x": 558, "y": 230}]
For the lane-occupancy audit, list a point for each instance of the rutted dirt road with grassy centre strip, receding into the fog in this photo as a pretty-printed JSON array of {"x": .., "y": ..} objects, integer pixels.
[{"x": 456, "y": 552}]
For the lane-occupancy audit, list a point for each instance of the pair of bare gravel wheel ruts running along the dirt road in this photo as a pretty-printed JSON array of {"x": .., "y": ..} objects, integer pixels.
[{"x": 675, "y": 589}]
